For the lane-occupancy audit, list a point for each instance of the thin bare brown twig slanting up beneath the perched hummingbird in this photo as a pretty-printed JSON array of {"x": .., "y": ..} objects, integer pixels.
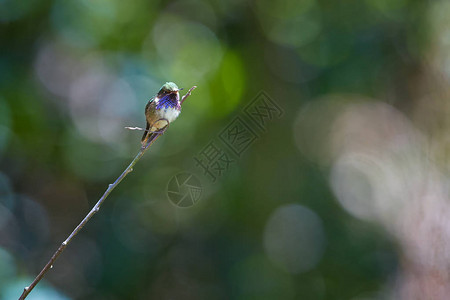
[{"x": 96, "y": 208}]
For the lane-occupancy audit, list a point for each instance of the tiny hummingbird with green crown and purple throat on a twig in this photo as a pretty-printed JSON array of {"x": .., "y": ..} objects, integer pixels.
[{"x": 161, "y": 110}]
